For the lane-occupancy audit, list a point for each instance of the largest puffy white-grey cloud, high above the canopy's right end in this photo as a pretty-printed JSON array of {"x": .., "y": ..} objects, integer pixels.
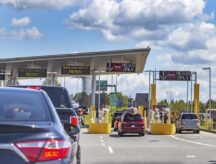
[{"x": 138, "y": 19}]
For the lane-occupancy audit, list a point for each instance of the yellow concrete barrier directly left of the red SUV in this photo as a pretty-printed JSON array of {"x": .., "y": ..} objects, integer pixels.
[{"x": 99, "y": 128}]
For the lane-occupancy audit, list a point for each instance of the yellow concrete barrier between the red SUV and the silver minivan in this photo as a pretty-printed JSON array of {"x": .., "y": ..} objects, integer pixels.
[{"x": 162, "y": 129}]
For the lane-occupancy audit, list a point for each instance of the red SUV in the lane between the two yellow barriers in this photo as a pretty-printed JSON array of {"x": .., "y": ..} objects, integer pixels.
[{"x": 131, "y": 123}]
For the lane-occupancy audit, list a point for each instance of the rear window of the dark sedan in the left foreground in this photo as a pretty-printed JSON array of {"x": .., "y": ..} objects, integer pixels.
[{"x": 23, "y": 106}]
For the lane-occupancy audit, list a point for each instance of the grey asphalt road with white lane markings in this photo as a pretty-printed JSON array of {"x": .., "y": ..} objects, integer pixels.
[{"x": 151, "y": 149}]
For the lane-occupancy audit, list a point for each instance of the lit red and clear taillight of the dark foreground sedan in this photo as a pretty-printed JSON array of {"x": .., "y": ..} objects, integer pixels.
[{"x": 47, "y": 150}]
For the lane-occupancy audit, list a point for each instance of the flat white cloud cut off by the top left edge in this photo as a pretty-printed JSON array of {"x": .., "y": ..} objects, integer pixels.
[{"x": 42, "y": 4}]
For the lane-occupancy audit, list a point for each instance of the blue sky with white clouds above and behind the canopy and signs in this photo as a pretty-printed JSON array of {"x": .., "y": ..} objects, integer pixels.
[{"x": 181, "y": 33}]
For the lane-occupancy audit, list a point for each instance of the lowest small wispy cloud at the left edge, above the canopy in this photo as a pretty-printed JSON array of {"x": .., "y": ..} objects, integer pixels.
[{"x": 24, "y": 33}]
